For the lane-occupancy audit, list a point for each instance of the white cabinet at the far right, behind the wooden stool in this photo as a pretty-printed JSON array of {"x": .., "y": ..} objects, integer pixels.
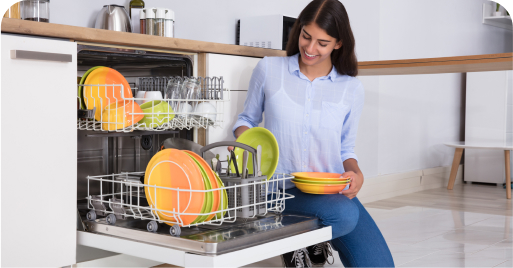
[{"x": 488, "y": 118}]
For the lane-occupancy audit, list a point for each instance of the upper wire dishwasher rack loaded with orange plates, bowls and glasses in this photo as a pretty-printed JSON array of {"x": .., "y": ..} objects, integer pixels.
[{"x": 109, "y": 107}]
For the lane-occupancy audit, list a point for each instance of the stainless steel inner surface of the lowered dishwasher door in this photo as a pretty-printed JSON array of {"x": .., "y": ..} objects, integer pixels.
[{"x": 214, "y": 240}]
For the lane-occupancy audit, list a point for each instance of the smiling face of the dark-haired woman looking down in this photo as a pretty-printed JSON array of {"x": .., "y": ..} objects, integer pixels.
[{"x": 316, "y": 45}]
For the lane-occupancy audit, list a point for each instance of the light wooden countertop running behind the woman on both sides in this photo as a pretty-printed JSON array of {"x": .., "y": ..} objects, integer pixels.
[{"x": 462, "y": 64}]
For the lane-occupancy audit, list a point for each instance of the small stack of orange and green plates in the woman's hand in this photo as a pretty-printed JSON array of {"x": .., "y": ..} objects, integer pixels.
[{"x": 320, "y": 182}]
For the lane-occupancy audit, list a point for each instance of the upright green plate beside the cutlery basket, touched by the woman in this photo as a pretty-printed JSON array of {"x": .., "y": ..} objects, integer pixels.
[{"x": 270, "y": 151}]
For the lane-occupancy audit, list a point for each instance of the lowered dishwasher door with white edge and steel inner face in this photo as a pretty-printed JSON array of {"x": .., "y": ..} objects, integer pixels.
[{"x": 229, "y": 245}]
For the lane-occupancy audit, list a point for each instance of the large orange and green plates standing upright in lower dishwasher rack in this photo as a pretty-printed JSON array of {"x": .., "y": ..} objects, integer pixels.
[{"x": 184, "y": 170}]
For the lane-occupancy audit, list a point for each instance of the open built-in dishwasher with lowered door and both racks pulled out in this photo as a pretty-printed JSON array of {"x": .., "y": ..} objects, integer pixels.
[{"x": 113, "y": 210}]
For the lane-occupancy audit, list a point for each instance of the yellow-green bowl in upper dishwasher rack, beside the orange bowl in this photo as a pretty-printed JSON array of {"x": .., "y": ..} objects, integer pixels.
[{"x": 157, "y": 113}]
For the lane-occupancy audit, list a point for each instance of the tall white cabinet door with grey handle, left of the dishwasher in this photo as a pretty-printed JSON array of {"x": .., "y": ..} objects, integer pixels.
[{"x": 39, "y": 166}]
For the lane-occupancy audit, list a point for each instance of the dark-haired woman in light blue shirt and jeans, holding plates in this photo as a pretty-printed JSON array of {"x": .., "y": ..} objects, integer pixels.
[{"x": 312, "y": 103}]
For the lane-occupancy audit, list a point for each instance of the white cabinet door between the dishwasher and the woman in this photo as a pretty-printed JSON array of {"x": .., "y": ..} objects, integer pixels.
[{"x": 236, "y": 72}]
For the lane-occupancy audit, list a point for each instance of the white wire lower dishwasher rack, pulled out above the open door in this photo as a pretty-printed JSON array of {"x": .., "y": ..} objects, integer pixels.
[{"x": 251, "y": 198}]
